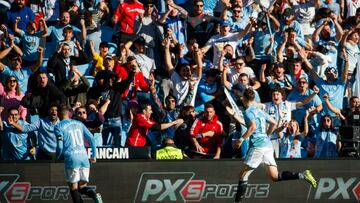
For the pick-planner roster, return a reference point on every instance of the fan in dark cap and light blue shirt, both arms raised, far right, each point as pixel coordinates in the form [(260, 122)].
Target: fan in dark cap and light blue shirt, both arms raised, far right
[(333, 86)]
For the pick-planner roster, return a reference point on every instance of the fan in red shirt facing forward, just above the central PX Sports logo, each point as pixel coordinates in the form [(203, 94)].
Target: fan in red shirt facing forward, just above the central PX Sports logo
[(206, 133)]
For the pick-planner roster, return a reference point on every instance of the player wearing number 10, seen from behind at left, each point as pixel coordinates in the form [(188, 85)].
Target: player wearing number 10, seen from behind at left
[(70, 134)]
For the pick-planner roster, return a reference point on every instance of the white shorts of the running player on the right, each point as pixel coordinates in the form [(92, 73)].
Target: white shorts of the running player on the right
[(258, 155)]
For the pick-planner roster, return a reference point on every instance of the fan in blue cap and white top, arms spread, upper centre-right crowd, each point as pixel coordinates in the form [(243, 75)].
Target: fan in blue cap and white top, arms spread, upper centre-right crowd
[(217, 42)]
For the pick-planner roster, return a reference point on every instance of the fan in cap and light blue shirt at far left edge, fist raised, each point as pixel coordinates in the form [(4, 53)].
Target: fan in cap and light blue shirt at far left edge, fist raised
[(22, 74)]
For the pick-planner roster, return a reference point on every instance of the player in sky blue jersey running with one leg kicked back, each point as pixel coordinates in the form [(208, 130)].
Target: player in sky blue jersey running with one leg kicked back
[(260, 148)]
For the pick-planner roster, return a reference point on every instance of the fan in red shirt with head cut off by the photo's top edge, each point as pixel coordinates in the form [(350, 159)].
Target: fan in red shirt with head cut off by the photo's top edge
[(126, 13)]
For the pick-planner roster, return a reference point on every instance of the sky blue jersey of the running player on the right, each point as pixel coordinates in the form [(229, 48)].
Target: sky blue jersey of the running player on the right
[(259, 138)]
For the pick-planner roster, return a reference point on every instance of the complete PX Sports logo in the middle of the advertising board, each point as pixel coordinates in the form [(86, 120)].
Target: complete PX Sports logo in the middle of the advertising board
[(181, 187)]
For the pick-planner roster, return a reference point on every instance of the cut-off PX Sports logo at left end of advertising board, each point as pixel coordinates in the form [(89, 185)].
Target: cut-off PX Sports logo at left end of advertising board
[(21, 192)]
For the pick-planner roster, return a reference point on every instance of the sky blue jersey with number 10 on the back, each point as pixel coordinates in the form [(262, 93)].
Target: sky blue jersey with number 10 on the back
[(70, 134)]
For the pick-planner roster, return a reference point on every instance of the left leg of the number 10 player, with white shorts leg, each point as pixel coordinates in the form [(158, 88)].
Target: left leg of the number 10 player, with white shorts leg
[(72, 178)]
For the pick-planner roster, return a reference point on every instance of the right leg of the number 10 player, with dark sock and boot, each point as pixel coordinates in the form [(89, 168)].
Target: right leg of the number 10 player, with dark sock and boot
[(84, 189)]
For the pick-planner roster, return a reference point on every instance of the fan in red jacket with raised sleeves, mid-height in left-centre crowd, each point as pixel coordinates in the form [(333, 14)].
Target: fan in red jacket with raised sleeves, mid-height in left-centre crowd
[(139, 82)]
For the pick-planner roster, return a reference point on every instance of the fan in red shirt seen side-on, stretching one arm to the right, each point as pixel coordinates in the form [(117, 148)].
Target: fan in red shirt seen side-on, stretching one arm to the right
[(142, 124)]
